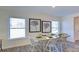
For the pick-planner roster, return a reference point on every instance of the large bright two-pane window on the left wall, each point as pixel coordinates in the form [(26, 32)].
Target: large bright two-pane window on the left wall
[(17, 28)]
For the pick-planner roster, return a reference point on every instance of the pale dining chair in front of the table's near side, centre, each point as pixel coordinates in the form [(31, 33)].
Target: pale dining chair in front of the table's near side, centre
[(51, 45)]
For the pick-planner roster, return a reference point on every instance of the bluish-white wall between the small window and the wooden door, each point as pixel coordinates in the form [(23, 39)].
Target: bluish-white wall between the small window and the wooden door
[(68, 25)]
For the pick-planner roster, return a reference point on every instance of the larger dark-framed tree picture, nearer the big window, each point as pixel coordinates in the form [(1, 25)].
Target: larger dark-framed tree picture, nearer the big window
[(34, 25)]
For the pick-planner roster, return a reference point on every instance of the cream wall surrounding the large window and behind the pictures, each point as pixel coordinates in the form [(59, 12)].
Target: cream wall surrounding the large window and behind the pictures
[(4, 27)]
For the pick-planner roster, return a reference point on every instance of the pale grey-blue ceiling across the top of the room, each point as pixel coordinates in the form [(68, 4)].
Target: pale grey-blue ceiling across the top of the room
[(57, 11)]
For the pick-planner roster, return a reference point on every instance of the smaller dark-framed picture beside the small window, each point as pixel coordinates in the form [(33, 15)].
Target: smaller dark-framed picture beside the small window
[(46, 26)]
